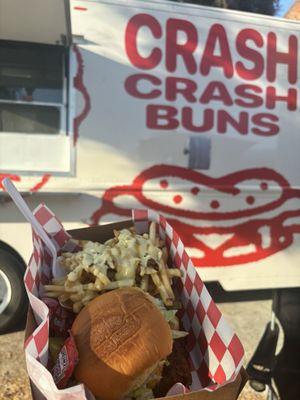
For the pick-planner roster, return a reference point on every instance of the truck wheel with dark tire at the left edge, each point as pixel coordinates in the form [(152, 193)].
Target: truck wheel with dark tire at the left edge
[(13, 298)]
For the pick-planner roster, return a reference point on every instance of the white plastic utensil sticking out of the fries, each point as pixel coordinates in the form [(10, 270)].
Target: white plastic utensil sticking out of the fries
[(36, 226)]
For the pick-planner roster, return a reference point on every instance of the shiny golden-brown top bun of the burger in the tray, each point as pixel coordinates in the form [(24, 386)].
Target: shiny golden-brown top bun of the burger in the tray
[(120, 336)]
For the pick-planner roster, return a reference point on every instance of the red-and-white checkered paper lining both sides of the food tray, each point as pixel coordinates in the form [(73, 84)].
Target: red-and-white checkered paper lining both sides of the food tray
[(216, 353)]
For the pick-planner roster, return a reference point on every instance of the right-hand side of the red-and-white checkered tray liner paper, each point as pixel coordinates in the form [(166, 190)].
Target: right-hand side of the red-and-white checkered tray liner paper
[(216, 353)]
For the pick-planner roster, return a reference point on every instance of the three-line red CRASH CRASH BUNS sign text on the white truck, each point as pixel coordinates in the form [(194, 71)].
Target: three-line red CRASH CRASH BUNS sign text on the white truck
[(220, 81)]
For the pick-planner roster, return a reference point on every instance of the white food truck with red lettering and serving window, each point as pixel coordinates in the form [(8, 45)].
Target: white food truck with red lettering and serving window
[(191, 111)]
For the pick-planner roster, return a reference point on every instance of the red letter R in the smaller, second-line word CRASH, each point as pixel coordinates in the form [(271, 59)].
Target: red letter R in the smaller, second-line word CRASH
[(183, 86)]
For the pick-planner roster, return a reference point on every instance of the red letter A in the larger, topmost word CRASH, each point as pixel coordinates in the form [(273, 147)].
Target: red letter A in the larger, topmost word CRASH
[(217, 35)]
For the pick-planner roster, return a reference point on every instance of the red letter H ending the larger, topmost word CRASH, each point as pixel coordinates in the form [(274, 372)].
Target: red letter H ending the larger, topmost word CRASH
[(275, 57)]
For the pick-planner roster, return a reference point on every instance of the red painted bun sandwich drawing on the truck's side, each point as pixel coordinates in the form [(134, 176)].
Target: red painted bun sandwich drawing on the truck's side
[(220, 220)]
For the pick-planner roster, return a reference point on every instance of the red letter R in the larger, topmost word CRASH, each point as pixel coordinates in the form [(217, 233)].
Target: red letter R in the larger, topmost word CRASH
[(186, 50)]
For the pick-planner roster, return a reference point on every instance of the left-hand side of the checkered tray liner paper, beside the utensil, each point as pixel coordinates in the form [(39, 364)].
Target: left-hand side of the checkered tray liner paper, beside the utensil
[(37, 274)]
